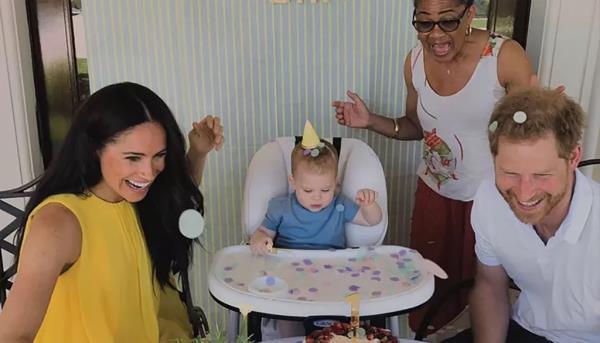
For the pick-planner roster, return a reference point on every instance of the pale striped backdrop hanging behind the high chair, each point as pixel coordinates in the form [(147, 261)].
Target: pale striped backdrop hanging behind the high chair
[(265, 69)]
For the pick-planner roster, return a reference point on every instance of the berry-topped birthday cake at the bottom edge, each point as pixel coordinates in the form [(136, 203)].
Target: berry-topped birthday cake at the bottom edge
[(342, 332)]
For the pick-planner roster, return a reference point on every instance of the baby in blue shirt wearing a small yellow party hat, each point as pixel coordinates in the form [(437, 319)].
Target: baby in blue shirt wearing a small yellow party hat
[(313, 215)]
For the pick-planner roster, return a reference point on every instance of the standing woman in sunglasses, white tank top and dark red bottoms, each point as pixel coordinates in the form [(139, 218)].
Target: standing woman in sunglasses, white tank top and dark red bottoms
[(454, 76)]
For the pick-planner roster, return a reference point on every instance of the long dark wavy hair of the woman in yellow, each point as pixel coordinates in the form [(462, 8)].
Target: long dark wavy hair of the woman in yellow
[(105, 115)]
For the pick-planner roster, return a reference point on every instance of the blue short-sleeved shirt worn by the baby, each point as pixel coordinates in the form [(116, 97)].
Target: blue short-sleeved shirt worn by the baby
[(299, 228)]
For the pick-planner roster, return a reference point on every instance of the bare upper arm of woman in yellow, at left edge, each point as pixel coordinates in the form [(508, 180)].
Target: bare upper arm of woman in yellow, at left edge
[(52, 245)]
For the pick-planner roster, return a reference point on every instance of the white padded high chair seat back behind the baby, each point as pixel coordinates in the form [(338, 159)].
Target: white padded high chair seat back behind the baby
[(267, 177)]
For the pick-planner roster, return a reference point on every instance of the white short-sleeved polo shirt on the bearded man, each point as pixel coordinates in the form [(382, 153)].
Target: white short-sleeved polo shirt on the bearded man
[(559, 281)]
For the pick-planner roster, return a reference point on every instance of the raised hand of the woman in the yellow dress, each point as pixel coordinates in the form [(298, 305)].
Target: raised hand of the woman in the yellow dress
[(205, 135)]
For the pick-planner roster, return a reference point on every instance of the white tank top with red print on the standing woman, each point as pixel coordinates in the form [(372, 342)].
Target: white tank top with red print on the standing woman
[(456, 154)]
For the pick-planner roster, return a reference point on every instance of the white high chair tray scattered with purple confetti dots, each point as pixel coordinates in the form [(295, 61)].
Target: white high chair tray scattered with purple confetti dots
[(300, 283)]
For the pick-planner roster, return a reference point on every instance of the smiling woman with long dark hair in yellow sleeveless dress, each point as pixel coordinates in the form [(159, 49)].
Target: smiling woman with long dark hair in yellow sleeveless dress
[(101, 241)]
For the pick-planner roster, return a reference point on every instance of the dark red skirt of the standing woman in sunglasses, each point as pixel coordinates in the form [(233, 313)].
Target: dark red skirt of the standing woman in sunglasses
[(441, 231)]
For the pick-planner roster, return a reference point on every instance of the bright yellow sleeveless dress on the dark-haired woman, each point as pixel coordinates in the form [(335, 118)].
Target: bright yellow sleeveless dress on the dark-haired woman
[(110, 293)]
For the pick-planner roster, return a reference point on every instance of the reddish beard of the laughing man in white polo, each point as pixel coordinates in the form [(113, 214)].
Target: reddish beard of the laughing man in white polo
[(545, 206)]
